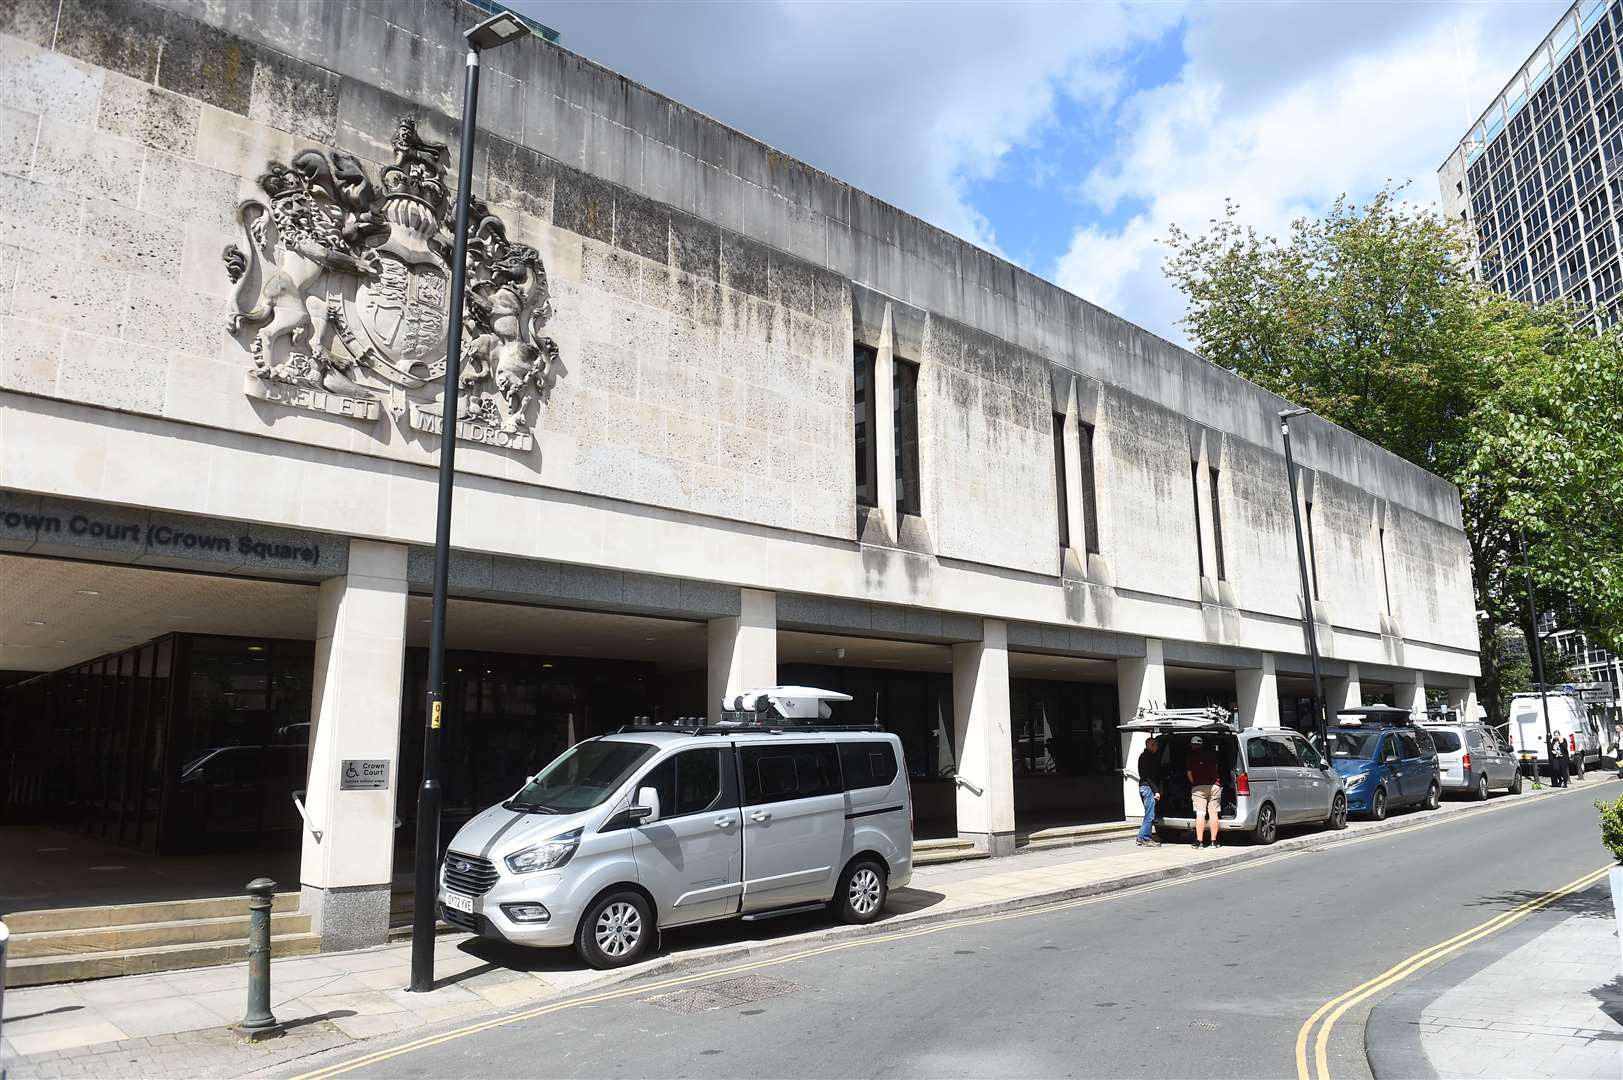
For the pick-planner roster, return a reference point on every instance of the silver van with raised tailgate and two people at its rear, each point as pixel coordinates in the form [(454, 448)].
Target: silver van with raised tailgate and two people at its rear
[(1272, 777)]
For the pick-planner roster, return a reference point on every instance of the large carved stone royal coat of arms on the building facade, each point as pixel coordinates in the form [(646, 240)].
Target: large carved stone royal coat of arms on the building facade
[(342, 296)]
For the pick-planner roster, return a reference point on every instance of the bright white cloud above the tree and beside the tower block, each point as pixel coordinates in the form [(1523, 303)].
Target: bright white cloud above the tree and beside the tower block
[(1283, 110)]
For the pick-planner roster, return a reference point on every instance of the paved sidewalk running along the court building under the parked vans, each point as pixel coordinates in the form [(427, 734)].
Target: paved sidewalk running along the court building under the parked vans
[(176, 1024)]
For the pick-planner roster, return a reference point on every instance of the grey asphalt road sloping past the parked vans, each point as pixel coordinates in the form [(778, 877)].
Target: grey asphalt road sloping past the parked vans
[(1208, 977)]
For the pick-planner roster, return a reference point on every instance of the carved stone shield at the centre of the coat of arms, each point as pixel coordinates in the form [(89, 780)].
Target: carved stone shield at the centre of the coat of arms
[(403, 316)]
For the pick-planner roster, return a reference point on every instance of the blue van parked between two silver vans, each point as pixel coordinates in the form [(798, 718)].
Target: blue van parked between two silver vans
[(1387, 761)]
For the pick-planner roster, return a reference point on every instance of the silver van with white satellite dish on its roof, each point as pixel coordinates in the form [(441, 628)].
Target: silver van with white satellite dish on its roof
[(772, 811)]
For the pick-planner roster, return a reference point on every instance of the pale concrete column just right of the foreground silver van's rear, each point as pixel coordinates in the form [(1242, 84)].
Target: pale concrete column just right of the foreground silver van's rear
[(986, 754)]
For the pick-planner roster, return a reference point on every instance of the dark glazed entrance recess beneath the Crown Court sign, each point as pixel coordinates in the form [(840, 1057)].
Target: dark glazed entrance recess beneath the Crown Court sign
[(186, 745)]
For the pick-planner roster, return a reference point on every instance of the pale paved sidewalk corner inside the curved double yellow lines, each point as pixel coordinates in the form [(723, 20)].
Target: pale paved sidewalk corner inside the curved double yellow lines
[(1551, 1008)]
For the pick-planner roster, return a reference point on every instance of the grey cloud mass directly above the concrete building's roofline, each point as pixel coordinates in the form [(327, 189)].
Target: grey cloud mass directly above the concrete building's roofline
[(910, 102)]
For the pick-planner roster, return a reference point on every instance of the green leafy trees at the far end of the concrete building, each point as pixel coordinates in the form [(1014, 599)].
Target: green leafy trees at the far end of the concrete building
[(1372, 319)]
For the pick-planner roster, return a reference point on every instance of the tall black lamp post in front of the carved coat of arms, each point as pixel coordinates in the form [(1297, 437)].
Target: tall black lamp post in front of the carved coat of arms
[(494, 32)]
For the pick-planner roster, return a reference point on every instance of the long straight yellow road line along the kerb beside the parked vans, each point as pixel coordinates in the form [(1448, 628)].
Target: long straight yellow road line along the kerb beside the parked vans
[(640, 990)]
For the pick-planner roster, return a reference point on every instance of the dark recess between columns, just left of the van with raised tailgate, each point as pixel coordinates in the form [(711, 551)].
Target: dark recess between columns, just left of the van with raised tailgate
[(1067, 753)]
